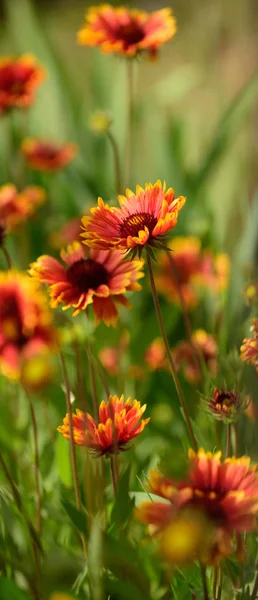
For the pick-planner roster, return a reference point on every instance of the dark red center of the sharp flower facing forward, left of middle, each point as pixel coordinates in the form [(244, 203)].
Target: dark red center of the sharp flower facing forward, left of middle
[(86, 274)]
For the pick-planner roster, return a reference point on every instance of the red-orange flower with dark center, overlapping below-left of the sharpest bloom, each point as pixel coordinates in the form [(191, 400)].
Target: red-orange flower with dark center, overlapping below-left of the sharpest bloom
[(101, 278)]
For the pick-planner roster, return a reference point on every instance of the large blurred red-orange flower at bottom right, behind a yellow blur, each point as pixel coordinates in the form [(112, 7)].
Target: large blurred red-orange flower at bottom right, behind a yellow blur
[(225, 492)]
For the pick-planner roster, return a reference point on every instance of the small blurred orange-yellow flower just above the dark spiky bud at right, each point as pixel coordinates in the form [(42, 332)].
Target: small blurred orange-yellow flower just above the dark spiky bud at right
[(185, 358)]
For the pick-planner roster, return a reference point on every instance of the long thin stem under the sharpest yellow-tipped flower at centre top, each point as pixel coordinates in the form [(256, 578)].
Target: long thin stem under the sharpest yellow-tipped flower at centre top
[(169, 356)]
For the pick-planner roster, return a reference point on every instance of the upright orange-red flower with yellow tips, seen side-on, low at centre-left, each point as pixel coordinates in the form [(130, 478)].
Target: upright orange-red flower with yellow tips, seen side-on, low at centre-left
[(118, 425)]
